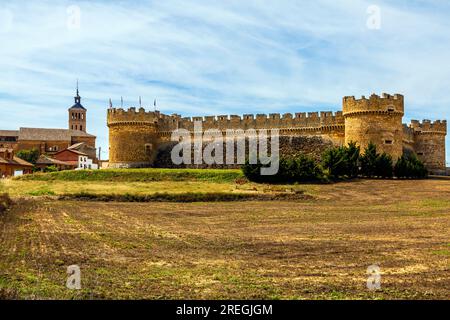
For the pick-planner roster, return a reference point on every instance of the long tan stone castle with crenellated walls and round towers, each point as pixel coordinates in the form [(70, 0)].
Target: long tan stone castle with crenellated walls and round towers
[(139, 139)]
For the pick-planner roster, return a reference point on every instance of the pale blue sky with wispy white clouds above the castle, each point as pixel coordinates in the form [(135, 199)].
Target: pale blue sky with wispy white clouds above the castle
[(219, 57)]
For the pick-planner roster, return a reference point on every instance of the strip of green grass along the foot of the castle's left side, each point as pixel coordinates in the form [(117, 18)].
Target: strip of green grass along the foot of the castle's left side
[(138, 175)]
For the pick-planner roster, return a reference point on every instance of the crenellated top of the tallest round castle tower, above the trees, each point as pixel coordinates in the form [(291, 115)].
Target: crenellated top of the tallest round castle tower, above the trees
[(385, 103)]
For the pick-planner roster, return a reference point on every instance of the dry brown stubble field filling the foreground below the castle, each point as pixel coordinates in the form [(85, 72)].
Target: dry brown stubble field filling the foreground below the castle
[(310, 249)]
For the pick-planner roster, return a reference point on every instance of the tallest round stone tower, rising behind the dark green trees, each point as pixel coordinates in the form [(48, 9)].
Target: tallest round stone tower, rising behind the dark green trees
[(377, 120)]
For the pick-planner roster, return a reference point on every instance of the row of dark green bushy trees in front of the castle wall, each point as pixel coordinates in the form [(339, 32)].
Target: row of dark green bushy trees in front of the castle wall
[(345, 162)]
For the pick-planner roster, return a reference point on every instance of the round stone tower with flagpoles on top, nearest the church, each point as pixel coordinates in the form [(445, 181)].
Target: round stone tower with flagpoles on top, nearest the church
[(132, 138)]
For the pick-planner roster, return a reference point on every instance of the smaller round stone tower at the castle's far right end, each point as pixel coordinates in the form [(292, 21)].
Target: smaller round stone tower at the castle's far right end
[(429, 143)]
